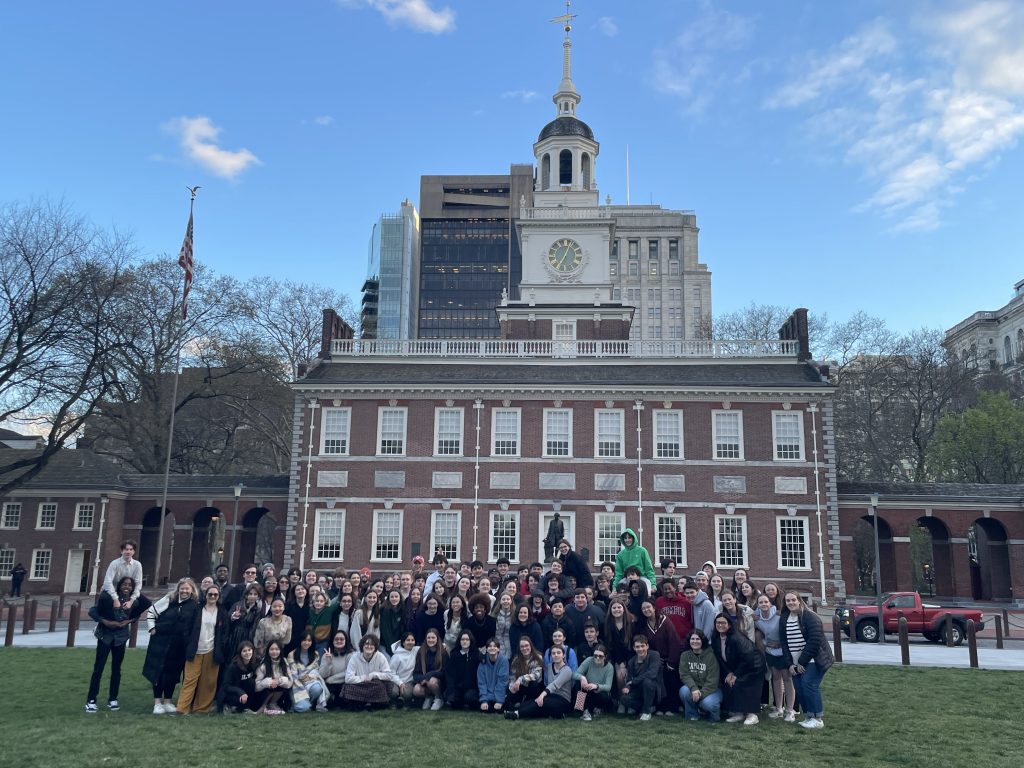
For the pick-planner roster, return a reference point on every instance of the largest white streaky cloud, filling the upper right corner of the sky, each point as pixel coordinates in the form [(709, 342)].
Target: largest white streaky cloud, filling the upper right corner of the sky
[(918, 141)]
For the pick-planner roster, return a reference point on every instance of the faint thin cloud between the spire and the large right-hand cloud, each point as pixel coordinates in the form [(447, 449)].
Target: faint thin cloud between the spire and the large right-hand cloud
[(693, 68)]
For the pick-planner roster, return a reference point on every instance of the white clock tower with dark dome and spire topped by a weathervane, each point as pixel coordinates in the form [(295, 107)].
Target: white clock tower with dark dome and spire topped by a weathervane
[(566, 239)]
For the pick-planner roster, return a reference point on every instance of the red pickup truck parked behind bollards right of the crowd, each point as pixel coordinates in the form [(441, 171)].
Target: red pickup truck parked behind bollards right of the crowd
[(921, 619)]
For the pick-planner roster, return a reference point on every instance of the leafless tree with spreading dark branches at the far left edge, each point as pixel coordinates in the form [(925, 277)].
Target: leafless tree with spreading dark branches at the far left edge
[(59, 279)]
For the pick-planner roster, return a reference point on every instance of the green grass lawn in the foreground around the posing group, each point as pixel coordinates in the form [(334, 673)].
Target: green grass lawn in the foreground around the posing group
[(875, 716)]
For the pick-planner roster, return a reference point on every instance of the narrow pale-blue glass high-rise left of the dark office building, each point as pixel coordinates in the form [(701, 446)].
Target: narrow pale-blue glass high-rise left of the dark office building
[(390, 296)]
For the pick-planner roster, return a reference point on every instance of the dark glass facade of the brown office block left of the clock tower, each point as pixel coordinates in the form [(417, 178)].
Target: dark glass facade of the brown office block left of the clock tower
[(464, 267)]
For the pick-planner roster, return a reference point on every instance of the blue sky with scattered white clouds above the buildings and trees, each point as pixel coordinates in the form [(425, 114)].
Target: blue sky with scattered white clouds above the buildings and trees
[(840, 156)]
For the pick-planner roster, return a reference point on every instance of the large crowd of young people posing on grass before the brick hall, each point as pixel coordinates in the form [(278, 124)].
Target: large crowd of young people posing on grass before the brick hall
[(542, 642)]
